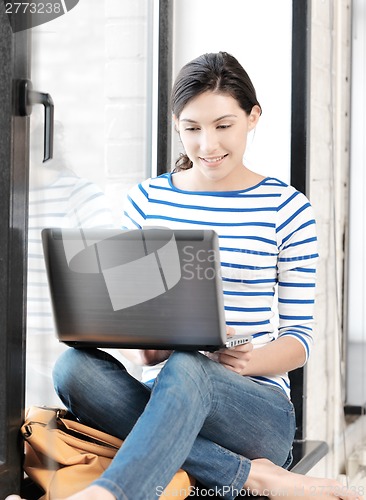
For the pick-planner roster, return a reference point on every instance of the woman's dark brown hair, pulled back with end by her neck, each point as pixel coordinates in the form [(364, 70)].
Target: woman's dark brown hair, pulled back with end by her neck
[(215, 72)]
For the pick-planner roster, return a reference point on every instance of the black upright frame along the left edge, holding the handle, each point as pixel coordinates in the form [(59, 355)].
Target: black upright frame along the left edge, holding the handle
[(14, 145)]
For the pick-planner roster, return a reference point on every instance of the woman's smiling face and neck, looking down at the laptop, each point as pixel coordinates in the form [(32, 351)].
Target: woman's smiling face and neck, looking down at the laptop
[(213, 129)]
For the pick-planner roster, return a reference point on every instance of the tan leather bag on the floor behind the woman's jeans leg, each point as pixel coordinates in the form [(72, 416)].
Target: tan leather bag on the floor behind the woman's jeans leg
[(63, 456)]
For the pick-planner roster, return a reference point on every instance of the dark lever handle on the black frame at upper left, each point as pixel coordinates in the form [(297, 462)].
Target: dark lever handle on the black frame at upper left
[(26, 98)]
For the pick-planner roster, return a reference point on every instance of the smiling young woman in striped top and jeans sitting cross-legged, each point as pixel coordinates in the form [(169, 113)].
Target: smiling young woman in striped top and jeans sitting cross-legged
[(226, 418)]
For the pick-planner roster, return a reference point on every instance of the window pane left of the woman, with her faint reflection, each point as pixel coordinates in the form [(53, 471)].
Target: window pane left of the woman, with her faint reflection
[(95, 63)]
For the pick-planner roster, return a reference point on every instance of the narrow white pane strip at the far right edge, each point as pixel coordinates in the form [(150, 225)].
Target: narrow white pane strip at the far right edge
[(356, 346)]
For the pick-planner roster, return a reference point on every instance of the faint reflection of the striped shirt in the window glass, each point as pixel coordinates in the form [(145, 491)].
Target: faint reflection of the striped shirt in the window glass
[(68, 202)]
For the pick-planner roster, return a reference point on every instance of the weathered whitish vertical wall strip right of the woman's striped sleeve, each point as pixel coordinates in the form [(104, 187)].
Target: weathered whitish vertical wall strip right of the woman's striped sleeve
[(329, 161)]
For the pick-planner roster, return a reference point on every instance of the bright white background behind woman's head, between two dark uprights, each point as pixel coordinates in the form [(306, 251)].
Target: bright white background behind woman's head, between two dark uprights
[(258, 33)]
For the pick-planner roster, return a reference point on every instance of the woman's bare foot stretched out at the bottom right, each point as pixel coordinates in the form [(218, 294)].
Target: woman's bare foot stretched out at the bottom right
[(268, 479)]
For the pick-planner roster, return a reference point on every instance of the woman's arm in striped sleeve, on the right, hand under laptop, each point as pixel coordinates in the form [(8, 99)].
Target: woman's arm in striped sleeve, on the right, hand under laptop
[(296, 267)]
